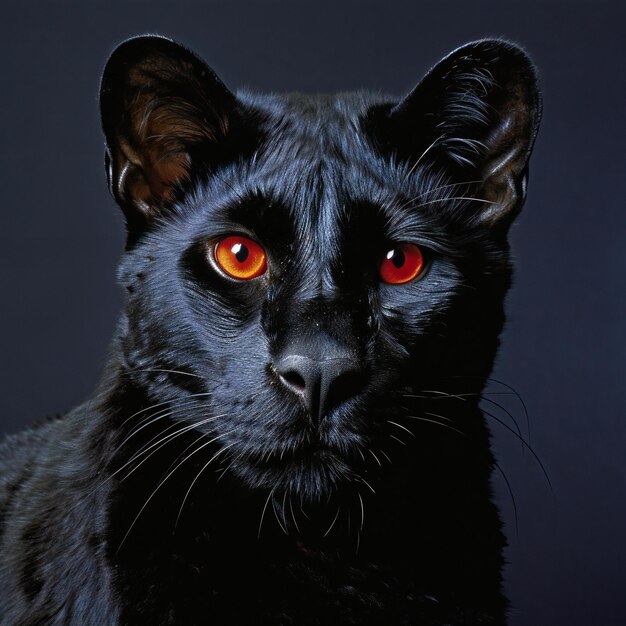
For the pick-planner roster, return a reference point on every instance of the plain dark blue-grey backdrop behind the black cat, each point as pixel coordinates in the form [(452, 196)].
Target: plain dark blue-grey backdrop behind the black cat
[(565, 345)]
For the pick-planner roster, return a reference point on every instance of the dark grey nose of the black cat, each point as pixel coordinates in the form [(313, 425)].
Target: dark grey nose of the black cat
[(322, 383)]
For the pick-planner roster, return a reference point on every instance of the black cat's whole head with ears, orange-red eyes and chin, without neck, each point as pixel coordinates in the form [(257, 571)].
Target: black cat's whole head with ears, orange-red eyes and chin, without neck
[(299, 267)]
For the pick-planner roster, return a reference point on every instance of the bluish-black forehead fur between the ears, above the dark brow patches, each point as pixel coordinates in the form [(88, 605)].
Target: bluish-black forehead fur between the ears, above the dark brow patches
[(314, 148)]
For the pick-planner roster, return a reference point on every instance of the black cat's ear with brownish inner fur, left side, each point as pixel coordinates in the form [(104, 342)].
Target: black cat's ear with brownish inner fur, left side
[(163, 110)]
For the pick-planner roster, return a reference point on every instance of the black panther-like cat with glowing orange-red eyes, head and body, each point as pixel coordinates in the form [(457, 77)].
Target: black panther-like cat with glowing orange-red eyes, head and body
[(288, 430)]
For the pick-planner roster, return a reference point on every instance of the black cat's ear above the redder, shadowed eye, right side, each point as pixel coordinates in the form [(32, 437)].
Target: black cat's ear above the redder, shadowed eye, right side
[(475, 114)]
